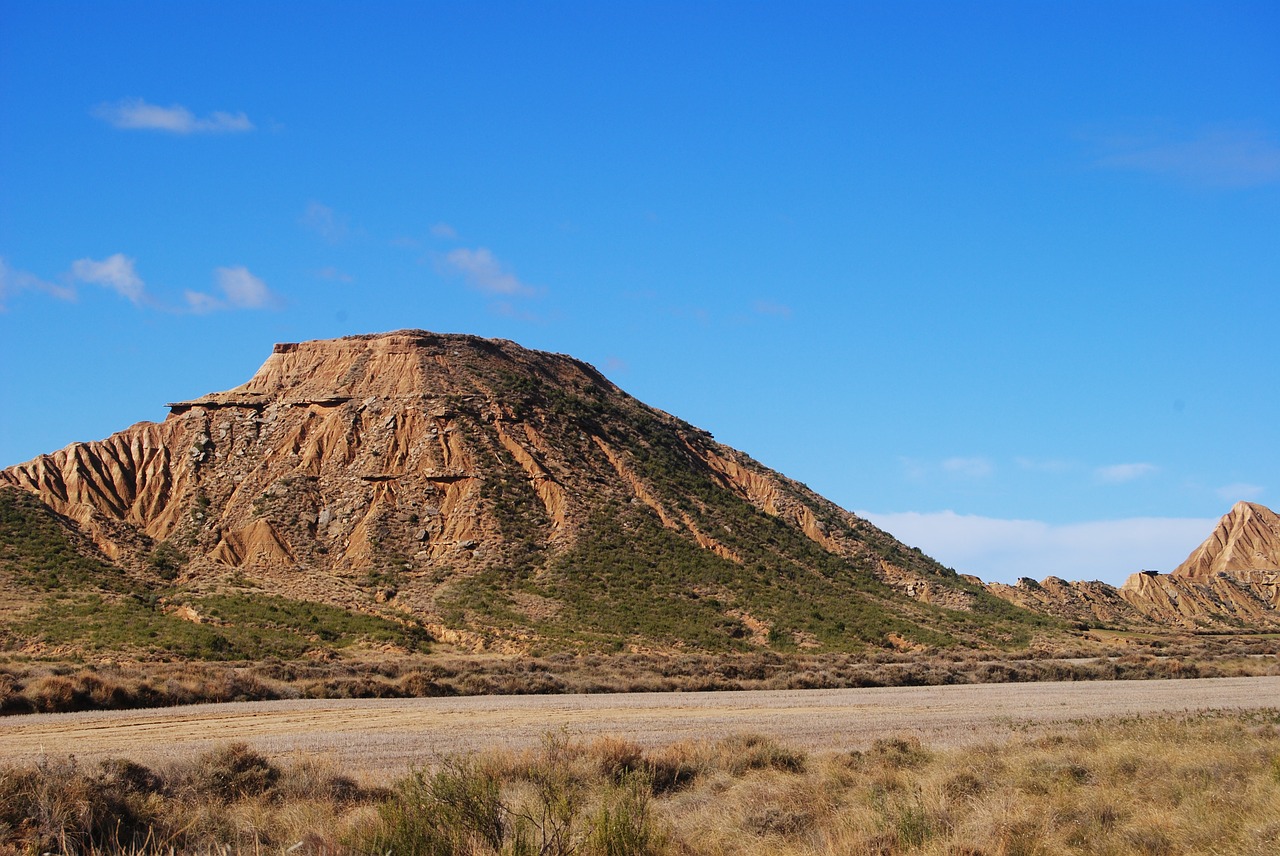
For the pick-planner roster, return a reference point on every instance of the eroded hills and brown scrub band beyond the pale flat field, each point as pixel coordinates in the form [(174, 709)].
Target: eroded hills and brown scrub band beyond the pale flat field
[(424, 515)]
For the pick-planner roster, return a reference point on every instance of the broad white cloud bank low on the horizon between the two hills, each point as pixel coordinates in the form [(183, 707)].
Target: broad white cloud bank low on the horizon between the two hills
[(1003, 551)]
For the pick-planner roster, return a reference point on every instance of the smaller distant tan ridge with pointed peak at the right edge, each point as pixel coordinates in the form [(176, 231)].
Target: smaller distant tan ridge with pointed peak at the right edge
[(1232, 580)]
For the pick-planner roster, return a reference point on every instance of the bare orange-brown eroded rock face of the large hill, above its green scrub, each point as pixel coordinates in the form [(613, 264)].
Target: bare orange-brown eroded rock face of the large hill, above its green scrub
[(410, 455)]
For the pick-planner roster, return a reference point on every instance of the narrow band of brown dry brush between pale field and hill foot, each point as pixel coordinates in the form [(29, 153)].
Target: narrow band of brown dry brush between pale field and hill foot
[(34, 686)]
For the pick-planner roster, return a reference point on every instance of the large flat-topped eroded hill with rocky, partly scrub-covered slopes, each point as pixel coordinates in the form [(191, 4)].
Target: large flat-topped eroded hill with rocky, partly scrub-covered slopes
[(467, 482)]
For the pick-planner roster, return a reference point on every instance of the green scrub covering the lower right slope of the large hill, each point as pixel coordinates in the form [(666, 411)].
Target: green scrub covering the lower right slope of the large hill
[(629, 579)]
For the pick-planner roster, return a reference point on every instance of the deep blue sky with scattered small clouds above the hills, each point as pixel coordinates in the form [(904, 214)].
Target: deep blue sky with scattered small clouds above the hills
[(1000, 276)]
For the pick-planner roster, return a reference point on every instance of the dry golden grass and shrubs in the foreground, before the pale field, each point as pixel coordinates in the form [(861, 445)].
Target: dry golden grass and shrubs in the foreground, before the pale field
[(1162, 786)]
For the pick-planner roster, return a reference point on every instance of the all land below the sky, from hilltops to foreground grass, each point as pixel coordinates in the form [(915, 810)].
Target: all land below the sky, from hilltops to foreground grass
[(414, 570)]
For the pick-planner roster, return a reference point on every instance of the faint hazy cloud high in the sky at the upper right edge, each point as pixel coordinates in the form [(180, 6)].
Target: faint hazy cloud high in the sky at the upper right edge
[(1215, 158)]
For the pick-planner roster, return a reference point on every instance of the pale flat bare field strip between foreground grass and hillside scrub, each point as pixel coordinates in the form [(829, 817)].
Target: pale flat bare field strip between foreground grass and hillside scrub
[(385, 738)]
